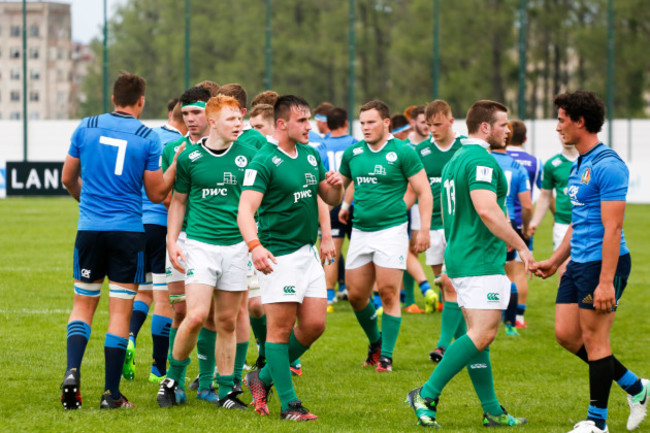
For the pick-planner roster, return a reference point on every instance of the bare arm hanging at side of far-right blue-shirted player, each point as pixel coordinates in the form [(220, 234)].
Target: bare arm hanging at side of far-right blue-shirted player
[(612, 215)]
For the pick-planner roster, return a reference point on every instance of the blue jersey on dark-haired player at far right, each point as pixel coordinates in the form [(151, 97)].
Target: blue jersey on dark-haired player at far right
[(598, 175)]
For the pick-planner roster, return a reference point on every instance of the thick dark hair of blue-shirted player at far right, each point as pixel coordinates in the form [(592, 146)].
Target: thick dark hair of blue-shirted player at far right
[(582, 103)]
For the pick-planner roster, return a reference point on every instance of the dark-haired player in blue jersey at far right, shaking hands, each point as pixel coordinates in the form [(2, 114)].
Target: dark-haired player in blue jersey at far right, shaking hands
[(600, 264)]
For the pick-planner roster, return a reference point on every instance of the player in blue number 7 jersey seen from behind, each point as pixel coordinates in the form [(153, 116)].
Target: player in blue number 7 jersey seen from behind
[(111, 157)]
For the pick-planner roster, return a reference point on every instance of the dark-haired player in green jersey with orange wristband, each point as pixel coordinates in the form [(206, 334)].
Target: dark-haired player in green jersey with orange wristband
[(283, 182)]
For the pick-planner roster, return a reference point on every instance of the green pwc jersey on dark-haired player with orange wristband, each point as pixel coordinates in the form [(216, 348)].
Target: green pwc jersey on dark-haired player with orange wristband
[(288, 214)]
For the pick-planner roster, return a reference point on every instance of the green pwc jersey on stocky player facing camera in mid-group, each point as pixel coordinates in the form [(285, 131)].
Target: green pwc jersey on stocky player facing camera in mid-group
[(380, 180)]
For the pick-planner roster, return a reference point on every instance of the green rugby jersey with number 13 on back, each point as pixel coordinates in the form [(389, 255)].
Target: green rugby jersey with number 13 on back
[(472, 250)]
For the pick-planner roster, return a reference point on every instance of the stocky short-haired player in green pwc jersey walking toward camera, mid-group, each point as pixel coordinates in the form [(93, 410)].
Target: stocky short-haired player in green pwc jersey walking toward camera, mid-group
[(381, 168)]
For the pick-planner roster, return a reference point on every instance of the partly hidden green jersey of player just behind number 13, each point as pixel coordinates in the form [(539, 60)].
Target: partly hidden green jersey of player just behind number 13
[(434, 159)]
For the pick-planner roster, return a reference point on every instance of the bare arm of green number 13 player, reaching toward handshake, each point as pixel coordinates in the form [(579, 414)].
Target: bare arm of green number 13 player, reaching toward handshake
[(485, 203)]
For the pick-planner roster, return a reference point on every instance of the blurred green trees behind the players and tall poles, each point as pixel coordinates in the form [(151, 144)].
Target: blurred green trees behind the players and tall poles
[(566, 49)]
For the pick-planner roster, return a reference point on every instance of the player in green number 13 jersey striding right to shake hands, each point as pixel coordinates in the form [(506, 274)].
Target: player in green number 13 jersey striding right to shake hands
[(474, 190)]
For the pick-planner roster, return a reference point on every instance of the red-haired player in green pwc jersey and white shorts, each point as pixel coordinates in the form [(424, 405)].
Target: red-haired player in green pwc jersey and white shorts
[(208, 187)]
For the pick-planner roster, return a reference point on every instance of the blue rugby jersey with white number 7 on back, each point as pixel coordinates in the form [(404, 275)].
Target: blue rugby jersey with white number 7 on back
[(114, 151)]
